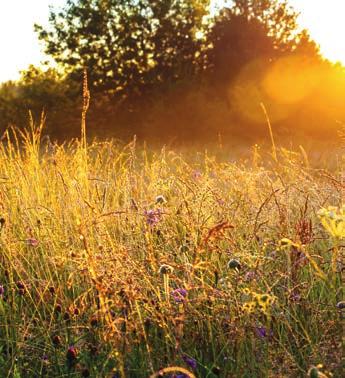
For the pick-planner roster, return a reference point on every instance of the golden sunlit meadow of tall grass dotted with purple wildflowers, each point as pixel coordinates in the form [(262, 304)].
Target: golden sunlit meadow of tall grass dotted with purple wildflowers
[(117, 261)]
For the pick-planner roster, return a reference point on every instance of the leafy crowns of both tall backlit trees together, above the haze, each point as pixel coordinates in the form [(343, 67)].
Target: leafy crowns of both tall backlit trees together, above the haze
[(133, 47)]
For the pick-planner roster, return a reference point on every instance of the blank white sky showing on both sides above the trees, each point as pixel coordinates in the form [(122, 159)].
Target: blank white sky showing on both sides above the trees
[(20, 47)]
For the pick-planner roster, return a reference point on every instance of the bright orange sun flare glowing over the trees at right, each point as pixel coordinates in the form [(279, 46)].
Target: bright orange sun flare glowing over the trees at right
[(291, 83)]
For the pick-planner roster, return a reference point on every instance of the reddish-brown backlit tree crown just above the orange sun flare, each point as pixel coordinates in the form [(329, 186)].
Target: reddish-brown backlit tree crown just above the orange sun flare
[(253, 29)]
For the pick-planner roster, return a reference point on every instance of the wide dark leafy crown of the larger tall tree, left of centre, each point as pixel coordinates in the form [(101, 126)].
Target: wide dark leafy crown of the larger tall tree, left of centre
[(128, 46)]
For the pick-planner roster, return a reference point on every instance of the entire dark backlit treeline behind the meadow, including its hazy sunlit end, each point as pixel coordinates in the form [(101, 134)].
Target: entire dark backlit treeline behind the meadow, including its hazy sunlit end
[(169, 69)]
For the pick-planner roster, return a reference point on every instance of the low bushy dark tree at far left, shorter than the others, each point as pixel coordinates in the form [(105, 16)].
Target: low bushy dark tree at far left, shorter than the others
[(40, 91)]
